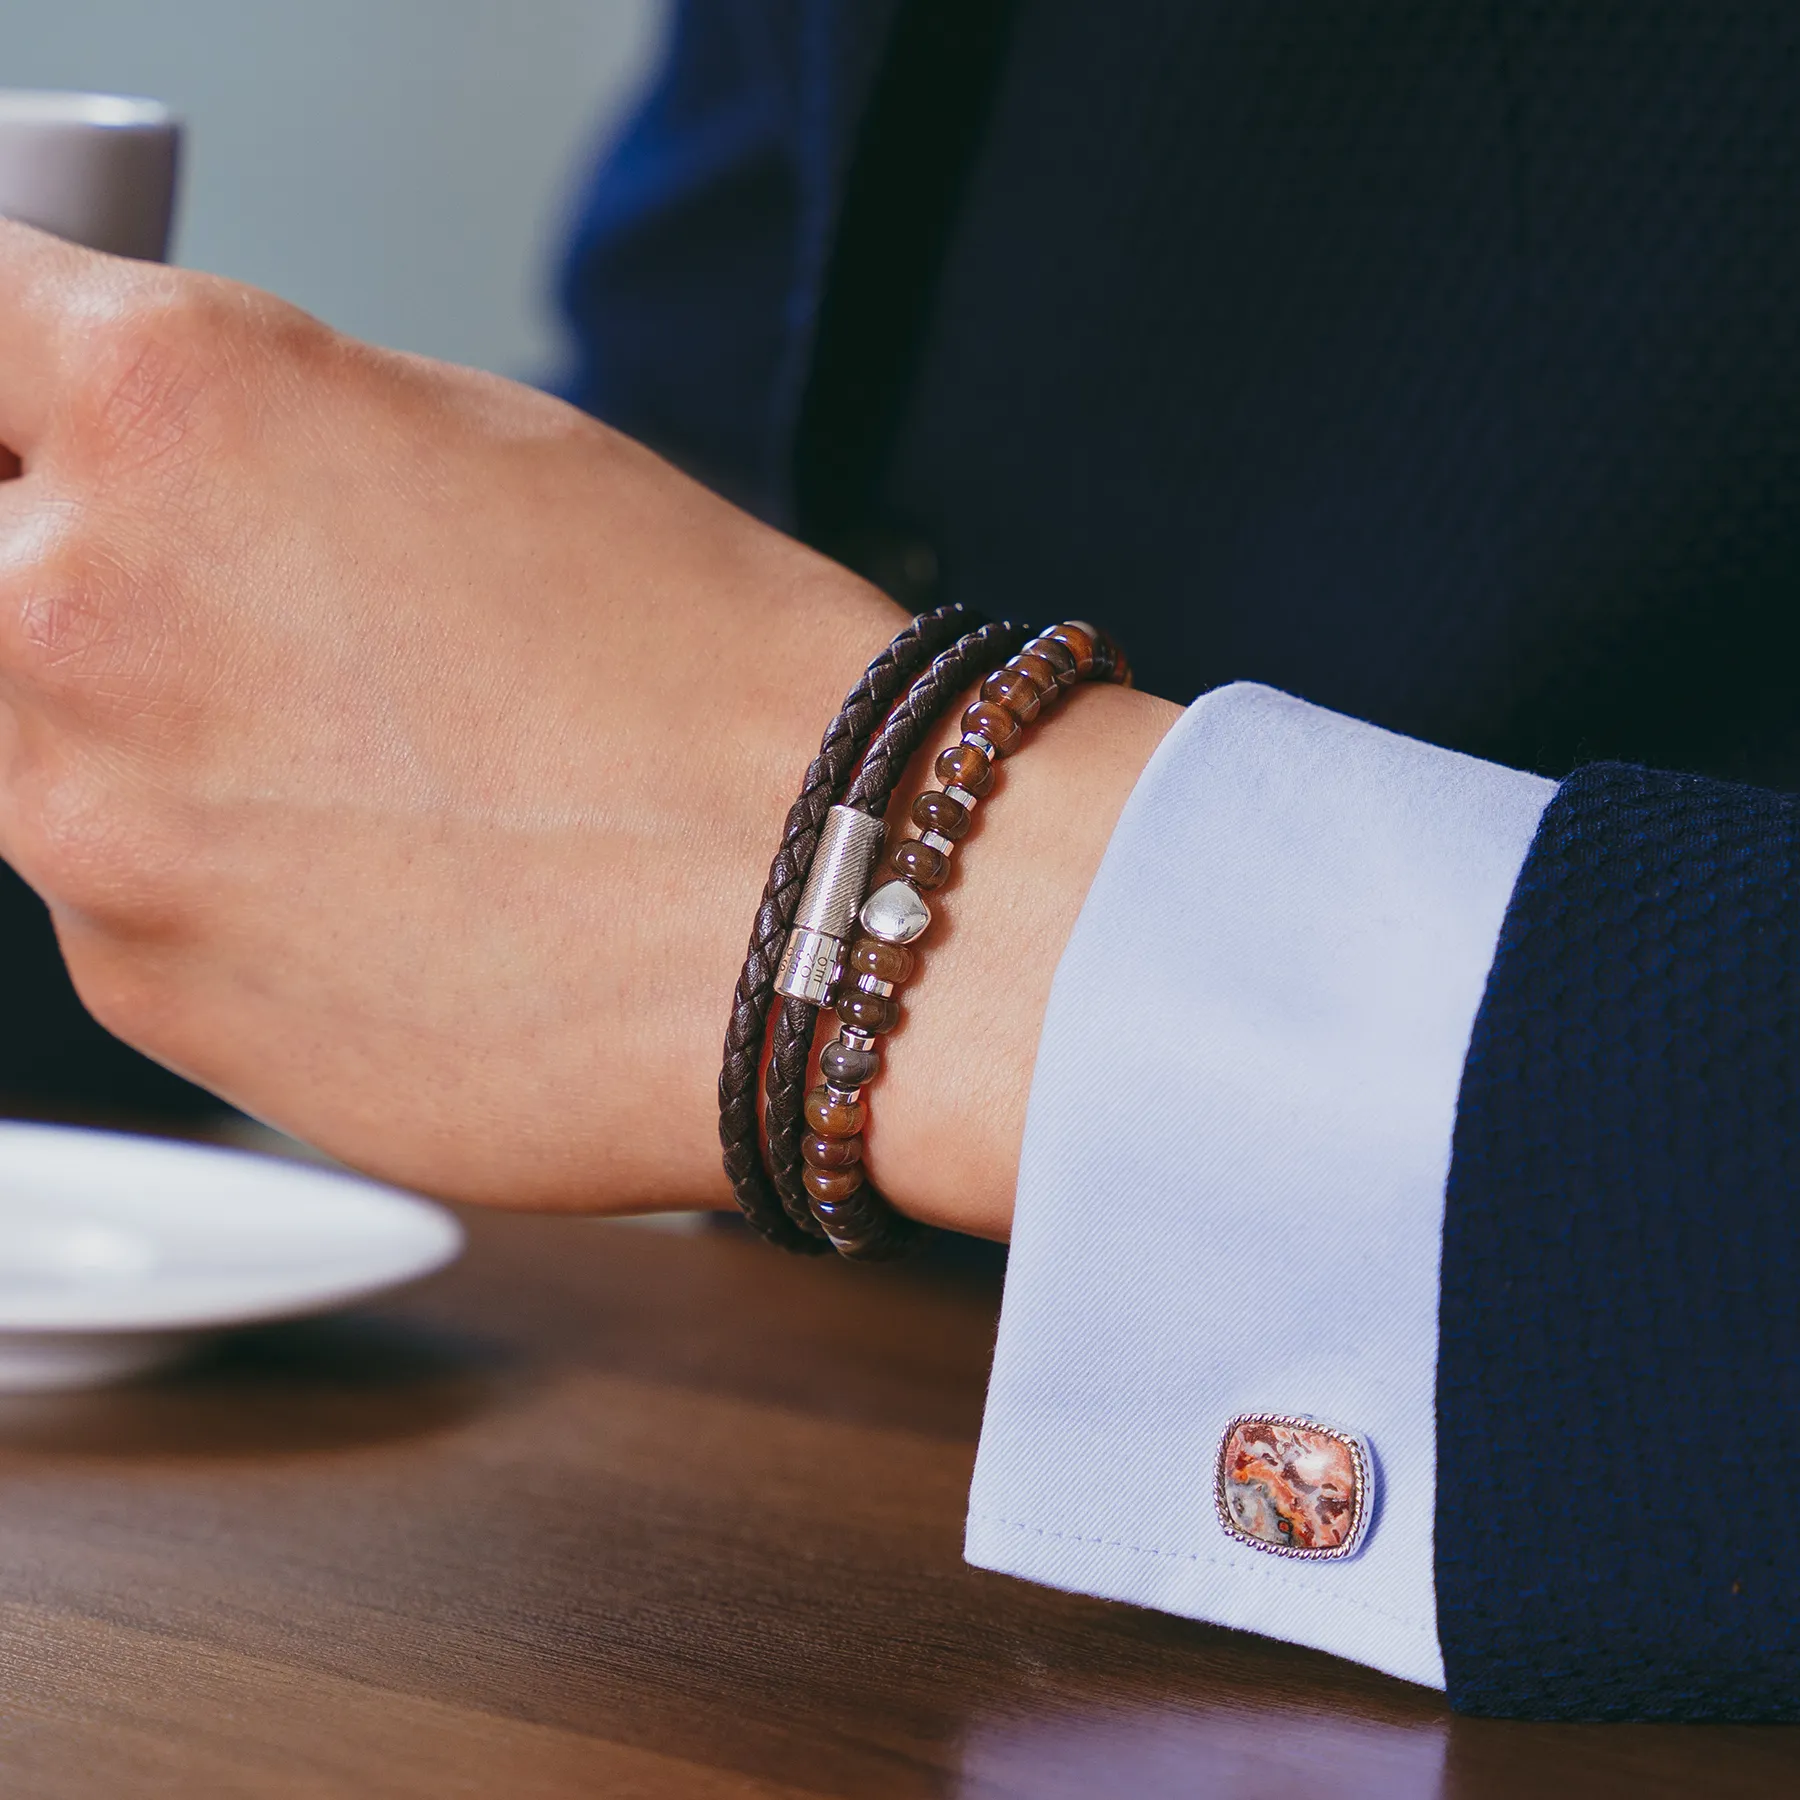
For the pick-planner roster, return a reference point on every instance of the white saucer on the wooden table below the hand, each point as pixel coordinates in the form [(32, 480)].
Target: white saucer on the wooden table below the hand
[(118, 1255)]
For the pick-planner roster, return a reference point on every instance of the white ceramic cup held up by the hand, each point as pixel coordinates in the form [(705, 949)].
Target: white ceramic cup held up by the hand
[(93, 168)]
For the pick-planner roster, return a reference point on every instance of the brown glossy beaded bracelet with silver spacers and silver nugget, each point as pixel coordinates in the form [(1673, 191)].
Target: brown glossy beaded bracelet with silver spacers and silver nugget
[(897, 915)]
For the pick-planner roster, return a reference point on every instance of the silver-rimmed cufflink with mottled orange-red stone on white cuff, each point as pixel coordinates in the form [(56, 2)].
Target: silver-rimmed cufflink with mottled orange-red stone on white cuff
[(1293, 1486)]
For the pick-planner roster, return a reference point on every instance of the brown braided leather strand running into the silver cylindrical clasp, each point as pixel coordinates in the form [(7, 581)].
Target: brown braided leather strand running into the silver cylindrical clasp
[(786, 1092)]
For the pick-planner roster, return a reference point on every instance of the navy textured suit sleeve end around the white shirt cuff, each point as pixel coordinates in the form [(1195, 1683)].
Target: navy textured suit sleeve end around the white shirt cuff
[(1619, 1374)]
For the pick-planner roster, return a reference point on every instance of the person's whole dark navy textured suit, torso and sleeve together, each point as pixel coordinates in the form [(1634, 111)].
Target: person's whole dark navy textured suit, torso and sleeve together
[(1437, 363)]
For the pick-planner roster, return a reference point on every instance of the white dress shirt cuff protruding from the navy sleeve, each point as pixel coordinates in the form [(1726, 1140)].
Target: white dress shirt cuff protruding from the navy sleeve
[(1232, 1187)]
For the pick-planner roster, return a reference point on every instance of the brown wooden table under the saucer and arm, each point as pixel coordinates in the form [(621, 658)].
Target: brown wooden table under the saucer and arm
[(615, 1511)]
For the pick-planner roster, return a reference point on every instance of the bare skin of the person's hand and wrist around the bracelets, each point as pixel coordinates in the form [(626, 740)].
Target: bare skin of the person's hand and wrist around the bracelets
[(400, 755)]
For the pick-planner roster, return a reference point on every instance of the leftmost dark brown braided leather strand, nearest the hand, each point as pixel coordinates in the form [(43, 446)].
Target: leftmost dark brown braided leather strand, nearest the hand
[(840, 751)]
